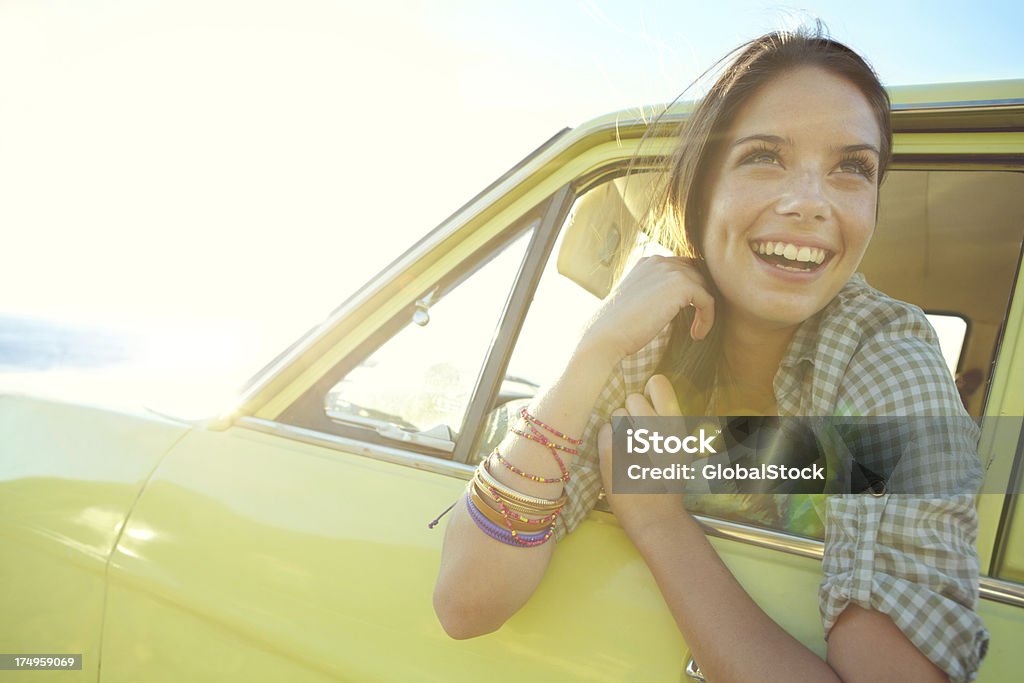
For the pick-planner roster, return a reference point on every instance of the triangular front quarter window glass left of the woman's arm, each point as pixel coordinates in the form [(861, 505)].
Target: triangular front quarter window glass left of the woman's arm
[(421, 380)]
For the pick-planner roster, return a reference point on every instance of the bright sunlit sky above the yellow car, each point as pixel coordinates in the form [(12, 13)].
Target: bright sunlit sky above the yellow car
[(238, 167)]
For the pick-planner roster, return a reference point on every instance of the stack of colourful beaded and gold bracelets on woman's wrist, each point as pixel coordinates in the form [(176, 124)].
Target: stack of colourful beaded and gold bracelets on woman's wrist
[(520, 521)]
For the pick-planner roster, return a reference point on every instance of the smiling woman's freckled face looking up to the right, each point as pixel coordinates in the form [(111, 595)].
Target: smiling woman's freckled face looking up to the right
[(793, 203)]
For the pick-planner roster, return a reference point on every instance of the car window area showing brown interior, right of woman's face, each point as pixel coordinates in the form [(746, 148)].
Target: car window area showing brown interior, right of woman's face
[(950, 241)]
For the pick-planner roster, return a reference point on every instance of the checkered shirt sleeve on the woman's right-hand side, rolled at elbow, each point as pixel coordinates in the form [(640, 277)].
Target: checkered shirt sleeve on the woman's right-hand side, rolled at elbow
[(911, 557)]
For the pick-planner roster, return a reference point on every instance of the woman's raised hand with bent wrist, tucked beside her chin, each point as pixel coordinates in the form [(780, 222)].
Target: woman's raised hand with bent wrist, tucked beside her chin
[(648, 300)]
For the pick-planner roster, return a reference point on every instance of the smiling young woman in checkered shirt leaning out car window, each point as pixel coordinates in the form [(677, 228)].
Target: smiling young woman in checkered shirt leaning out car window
[(771, 203)]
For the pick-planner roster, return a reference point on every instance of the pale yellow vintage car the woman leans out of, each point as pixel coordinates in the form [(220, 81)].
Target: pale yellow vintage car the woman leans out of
[(287, 540)]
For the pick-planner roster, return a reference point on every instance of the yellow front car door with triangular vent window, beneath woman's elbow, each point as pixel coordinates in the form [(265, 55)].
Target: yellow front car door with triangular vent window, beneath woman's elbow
[(297, 548)]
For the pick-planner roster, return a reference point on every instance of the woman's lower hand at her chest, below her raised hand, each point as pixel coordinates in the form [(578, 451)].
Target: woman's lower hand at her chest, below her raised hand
[(642, 514)]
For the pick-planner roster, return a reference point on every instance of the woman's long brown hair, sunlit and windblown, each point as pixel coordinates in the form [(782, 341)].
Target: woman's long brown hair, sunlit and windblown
[(677, 219)]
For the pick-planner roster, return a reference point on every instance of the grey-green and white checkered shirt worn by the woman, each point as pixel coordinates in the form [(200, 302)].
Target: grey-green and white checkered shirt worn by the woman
[(910, 557)]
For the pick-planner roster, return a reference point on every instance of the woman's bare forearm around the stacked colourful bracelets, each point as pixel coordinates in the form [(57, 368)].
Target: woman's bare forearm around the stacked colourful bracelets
[(483, 582)]
